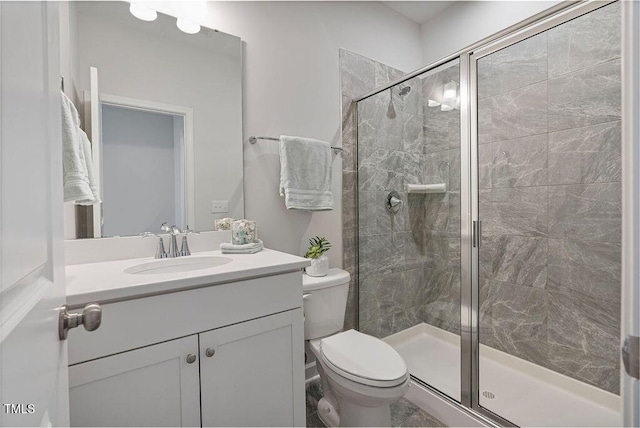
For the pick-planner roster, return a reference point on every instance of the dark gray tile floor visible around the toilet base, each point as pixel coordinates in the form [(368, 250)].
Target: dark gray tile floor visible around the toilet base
[(403, 413)]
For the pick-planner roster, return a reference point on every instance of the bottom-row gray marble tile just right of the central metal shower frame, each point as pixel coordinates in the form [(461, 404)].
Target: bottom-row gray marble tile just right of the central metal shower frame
[(518, 321)]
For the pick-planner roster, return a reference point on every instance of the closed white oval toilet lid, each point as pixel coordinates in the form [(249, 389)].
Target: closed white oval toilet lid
[(363, 358)]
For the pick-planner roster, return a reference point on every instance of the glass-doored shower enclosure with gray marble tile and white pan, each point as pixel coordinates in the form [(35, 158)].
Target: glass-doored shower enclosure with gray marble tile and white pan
[(489, 221)]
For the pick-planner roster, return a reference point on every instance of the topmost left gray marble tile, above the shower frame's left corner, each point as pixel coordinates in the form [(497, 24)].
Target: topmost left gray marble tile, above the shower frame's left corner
[(357, 74)]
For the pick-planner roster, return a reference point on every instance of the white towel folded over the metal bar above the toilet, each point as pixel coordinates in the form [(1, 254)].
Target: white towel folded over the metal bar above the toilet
[(305, 174)]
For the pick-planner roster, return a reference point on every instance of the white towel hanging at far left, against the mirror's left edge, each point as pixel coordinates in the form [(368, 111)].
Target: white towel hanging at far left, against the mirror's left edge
[(79, 183)]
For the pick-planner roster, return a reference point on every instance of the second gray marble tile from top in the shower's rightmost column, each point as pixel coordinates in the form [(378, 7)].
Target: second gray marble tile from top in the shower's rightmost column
[(585, 97)]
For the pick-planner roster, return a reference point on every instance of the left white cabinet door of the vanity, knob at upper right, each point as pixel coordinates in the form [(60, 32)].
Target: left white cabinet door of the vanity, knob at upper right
[(150, 386)]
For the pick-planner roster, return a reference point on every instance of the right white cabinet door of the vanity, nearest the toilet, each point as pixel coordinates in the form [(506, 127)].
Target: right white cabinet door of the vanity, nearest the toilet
[(256, 375)]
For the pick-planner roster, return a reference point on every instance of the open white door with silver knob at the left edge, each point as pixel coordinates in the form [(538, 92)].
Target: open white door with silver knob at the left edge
[(33, 361)]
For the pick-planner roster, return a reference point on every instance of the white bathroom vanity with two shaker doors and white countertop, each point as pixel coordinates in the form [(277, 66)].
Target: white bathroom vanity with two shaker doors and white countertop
[(216, 346)]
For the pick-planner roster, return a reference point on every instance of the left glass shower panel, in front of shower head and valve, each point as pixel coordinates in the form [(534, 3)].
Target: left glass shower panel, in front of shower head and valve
[(409, 255)]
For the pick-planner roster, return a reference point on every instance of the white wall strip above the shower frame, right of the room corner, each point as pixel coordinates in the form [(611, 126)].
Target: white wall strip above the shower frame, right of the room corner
[(466, 22)]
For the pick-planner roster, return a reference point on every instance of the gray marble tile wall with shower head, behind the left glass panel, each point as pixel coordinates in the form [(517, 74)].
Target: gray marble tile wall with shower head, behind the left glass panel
[(409, 261)]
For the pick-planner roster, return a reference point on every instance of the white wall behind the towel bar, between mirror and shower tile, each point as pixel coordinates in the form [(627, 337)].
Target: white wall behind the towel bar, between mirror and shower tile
[(291, 86)]
